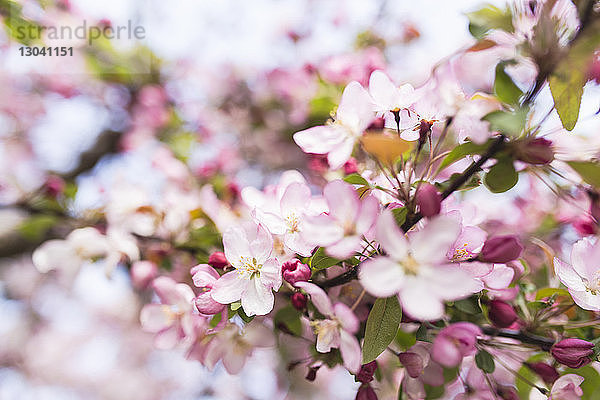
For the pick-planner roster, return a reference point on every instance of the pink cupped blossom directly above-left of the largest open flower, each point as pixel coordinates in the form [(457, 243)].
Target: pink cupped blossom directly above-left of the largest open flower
[(348, 220)]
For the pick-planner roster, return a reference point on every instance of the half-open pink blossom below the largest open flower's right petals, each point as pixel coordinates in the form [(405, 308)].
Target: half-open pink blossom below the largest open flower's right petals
[(455, 342)]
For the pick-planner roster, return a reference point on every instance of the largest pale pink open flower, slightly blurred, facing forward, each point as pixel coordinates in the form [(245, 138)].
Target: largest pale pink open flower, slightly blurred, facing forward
[(417, 269)]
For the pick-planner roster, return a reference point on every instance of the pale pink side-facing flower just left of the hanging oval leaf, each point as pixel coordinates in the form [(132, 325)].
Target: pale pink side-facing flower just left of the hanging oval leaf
[(337, 331)]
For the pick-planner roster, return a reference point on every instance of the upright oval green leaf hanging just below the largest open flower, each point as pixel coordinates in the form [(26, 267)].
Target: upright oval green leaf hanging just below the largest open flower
[(382, 326)]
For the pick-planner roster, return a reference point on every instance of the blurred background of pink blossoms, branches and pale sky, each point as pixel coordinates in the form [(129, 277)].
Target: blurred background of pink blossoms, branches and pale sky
[(214, 90)]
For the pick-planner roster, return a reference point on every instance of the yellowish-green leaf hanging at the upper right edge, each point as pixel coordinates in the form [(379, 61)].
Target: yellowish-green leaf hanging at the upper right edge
[(569, 77)]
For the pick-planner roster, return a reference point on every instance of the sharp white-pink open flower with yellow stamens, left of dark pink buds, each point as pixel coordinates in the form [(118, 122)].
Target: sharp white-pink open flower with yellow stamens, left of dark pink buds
[(256, 274)]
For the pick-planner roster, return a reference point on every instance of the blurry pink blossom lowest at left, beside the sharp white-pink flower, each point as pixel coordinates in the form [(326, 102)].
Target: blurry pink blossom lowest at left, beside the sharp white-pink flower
[(172, 319)]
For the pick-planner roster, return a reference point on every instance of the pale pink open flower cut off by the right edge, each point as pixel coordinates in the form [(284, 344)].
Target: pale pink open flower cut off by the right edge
[(582, 276)]
